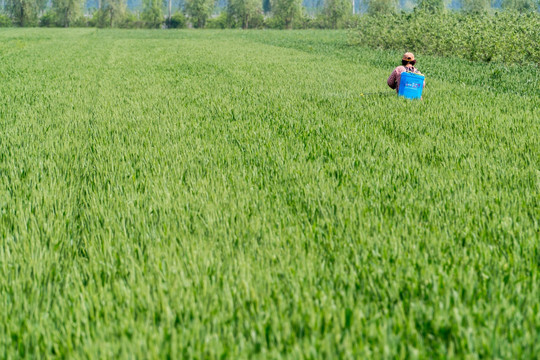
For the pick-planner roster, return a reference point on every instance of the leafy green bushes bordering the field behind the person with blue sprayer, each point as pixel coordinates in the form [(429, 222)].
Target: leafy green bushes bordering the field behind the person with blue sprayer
[(505, 37)]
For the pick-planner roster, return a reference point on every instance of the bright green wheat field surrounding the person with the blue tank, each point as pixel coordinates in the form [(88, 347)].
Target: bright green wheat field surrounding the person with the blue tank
[(234, 194)]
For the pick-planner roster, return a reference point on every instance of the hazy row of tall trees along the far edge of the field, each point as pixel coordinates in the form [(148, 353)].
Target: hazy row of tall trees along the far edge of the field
[(282, 14)]
